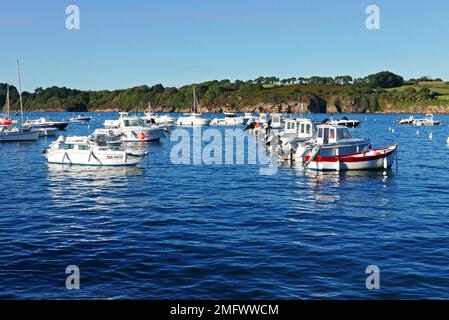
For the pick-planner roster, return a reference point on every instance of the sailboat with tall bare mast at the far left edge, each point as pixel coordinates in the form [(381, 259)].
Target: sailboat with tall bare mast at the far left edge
[(13, 134)]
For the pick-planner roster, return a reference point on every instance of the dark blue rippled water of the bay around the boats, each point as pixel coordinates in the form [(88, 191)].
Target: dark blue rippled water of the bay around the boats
[(225, 232)]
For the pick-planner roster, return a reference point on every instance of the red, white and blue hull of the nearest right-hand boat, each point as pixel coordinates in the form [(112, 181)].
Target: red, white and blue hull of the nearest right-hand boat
[(382, 158)]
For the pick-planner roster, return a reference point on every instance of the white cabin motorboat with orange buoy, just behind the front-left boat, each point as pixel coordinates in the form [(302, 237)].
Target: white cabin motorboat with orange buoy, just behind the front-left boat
[(134, 129)]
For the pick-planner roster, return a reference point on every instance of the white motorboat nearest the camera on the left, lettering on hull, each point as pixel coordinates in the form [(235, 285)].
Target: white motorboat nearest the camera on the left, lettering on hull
[(90, 152)]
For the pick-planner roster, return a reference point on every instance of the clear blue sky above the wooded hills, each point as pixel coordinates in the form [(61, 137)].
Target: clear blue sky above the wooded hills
[(176, 42)]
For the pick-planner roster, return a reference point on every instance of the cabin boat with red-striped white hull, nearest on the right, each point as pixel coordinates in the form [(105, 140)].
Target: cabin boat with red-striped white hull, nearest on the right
[(334, 149)]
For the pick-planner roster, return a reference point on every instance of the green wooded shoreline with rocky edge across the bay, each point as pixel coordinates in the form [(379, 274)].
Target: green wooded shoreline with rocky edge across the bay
[(213, 94)]
